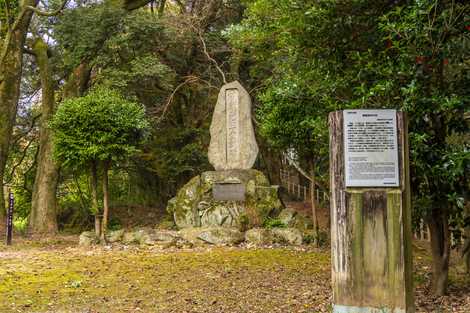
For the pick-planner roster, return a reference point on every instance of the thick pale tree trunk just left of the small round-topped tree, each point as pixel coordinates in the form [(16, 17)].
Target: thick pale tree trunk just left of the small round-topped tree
[(43, 217)]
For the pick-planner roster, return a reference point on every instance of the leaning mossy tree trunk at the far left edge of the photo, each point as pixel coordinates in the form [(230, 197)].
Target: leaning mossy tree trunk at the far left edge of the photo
[(11, 63)]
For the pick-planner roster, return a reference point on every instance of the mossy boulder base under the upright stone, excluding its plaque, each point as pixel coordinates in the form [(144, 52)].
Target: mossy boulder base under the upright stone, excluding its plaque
[(195, 206)]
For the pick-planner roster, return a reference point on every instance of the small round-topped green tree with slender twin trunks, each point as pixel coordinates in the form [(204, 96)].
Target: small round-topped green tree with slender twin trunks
[(96, 131)]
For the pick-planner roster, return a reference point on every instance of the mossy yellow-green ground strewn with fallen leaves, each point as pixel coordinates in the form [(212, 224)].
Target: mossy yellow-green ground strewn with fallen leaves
[(57, 276)]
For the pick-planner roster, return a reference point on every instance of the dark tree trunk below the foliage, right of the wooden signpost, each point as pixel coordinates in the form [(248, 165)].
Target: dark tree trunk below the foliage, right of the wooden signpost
[(440, 247)]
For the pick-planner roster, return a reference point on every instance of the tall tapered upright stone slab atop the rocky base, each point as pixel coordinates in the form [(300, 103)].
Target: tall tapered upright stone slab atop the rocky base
[(233, 144)]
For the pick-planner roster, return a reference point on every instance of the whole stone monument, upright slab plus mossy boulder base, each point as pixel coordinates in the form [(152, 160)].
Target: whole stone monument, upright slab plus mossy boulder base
[(234, 195)]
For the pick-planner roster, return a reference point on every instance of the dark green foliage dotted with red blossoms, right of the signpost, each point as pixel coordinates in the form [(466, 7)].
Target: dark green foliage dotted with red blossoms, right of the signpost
[(434, 55)]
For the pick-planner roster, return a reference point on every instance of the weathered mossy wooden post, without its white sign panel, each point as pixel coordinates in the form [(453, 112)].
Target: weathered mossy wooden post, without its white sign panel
[(370, 229)]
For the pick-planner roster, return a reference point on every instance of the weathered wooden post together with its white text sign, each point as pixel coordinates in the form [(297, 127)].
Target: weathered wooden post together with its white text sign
[(370, 212)]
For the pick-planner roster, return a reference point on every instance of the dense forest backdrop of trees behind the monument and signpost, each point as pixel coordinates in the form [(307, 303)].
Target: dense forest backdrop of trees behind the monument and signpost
[(299, 60)]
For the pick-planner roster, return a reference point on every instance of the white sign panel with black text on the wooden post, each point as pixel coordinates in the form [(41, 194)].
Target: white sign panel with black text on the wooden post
[(370, 148)]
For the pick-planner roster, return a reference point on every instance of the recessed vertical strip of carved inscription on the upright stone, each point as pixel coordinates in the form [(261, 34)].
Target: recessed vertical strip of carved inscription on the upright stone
[(233, 126)]
